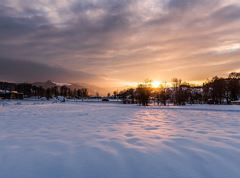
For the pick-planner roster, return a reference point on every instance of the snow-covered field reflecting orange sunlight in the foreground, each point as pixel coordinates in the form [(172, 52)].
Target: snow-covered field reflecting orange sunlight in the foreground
[(100, 140)]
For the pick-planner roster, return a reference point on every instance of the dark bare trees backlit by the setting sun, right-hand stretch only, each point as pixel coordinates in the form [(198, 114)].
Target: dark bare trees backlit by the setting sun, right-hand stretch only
[(215, 91)]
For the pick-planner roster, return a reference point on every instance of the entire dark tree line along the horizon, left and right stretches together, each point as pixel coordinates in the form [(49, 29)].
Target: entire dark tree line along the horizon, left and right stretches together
[(217, 90)]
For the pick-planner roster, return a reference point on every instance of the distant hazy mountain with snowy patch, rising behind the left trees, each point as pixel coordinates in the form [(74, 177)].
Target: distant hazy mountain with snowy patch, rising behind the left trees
[(92, 89)]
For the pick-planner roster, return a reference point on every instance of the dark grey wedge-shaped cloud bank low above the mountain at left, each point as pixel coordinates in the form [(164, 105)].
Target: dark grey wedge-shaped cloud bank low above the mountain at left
[(26, 71)]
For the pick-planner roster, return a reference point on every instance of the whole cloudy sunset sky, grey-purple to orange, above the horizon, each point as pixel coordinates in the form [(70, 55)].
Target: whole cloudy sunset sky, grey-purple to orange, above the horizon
[(118, 42)]
